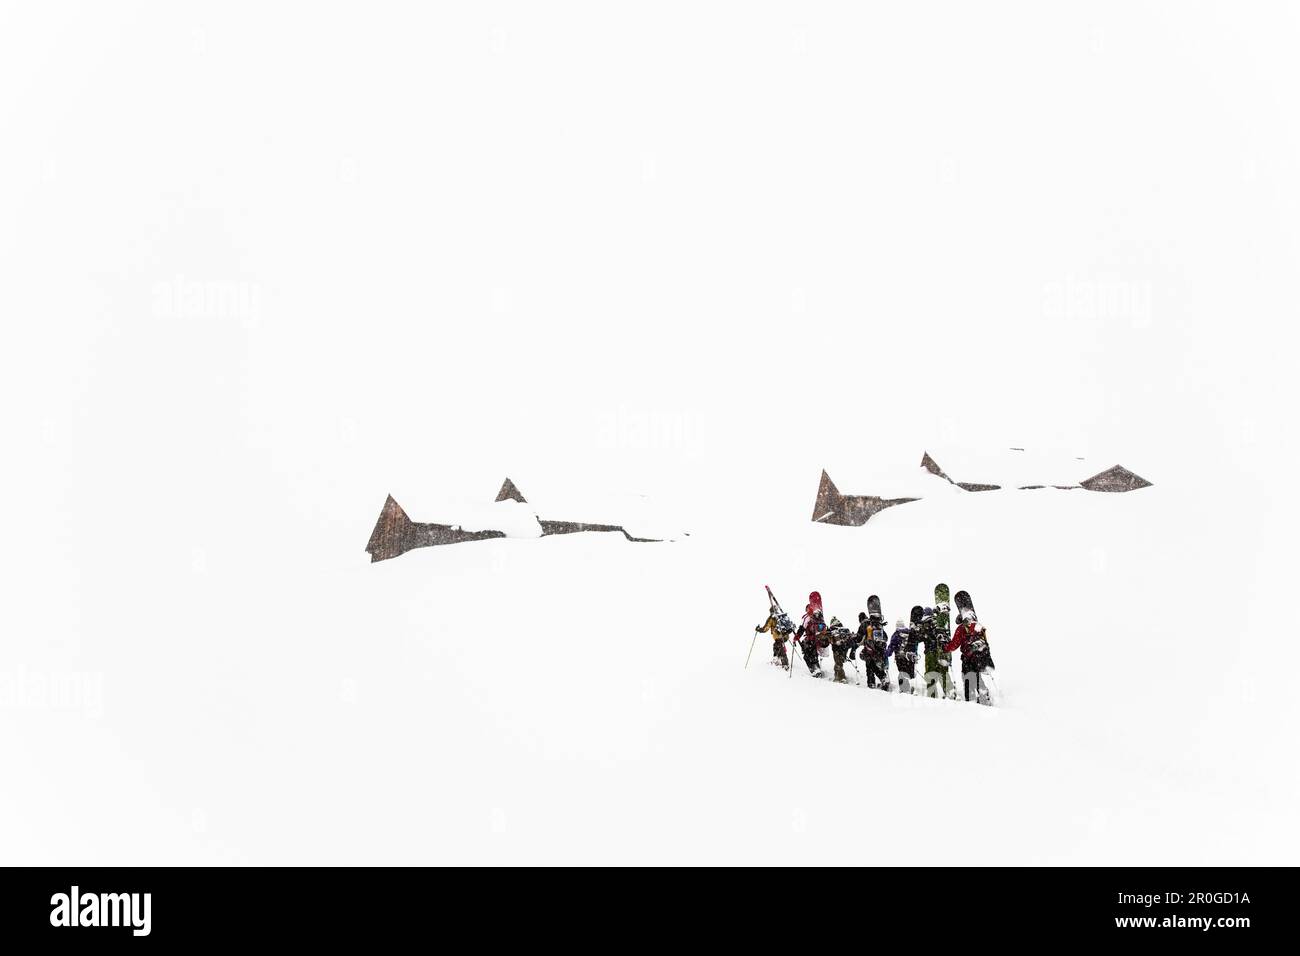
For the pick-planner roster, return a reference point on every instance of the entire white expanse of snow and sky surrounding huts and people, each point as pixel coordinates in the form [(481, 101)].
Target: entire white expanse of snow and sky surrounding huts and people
[(261, 270)]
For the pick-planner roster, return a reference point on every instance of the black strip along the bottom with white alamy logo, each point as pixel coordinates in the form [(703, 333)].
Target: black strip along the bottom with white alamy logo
[(926, 907)]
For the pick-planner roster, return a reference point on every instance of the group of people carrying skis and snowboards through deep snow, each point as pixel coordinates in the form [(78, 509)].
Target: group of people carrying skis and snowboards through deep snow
[(876, 647)]
